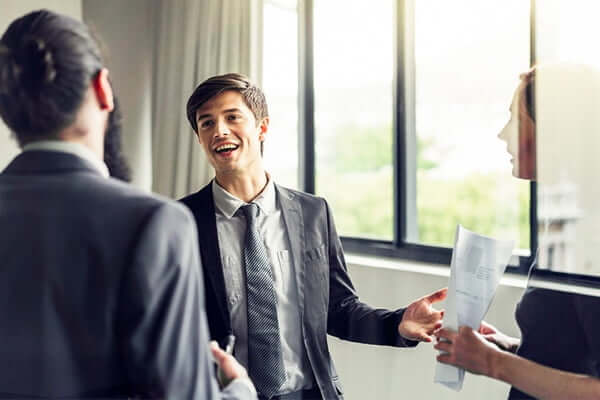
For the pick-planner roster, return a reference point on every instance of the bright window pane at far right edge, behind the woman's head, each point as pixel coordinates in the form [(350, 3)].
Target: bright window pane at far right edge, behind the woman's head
[(567, 100)]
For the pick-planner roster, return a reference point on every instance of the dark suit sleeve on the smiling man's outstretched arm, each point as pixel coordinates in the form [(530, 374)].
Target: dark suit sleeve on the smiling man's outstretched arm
[(348, 317)]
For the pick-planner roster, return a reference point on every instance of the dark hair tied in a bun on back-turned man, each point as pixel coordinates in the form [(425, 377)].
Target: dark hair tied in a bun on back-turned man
[(47, 61)]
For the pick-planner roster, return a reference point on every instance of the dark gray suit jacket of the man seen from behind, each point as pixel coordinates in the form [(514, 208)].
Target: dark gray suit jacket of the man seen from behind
[(100, 288)]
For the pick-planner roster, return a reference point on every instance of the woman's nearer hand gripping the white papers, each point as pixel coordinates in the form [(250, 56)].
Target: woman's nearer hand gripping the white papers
[(467, 349)]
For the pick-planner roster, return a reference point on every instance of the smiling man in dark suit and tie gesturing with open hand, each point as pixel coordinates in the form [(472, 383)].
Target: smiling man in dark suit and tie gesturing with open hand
[(275, 271)]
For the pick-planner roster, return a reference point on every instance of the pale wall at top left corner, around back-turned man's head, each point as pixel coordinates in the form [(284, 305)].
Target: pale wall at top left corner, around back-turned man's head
[(10, 10)]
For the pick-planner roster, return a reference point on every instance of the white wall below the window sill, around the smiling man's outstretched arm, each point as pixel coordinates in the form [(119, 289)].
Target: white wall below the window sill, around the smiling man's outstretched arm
[(384, 373)]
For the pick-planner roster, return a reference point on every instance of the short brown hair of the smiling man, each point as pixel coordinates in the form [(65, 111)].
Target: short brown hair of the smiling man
[(253, 96)]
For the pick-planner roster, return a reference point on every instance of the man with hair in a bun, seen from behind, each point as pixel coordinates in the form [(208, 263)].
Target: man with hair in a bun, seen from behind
[(101, 292)]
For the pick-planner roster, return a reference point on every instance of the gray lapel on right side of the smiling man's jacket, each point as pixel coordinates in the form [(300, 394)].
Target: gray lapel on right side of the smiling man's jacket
[(294, 223)]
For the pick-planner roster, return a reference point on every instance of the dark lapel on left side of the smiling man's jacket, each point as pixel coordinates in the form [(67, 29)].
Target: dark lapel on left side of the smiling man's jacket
[(209, 250)]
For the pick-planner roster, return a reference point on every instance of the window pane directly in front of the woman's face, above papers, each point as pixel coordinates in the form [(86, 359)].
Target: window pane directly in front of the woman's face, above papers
[(467, 68)]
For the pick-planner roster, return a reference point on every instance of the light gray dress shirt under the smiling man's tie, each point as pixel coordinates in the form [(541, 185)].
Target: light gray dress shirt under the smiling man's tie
[(231, 228)]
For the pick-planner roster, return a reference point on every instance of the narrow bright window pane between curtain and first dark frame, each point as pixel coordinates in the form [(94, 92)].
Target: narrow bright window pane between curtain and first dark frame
[(280, 84)]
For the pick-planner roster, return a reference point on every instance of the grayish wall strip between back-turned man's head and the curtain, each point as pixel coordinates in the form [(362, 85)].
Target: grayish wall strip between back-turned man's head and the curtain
[(127, 29)]
